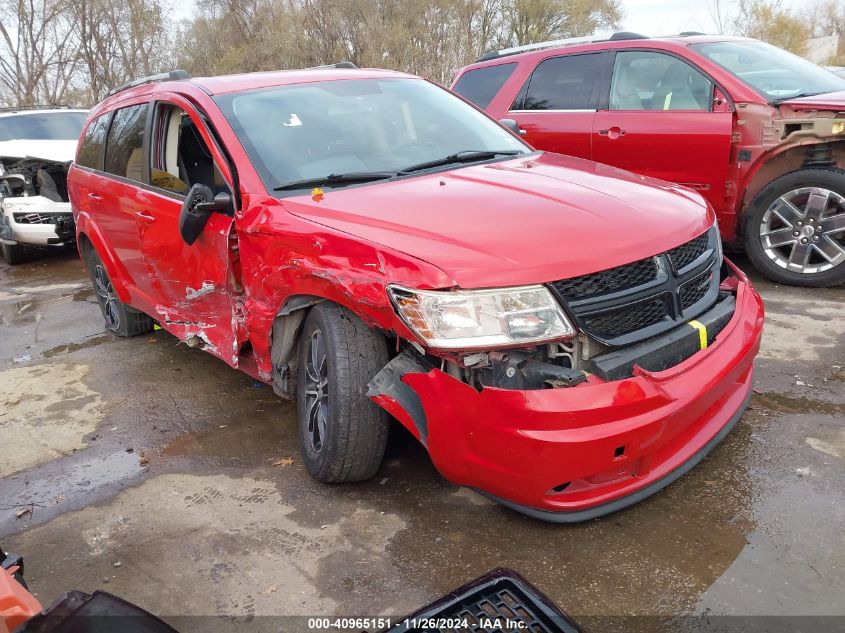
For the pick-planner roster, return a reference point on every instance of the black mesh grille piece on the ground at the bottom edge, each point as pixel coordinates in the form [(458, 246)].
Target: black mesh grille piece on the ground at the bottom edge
[(501, 600)]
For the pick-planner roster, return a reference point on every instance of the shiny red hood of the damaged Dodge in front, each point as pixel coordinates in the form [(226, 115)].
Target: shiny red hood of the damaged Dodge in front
[(521, 221)]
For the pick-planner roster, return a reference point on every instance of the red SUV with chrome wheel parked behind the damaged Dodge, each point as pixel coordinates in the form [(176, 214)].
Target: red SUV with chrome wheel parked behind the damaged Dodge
[(759, 132)]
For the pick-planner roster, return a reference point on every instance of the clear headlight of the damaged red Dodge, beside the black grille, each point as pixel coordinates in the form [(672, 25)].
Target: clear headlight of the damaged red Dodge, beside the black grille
[(473, 319)]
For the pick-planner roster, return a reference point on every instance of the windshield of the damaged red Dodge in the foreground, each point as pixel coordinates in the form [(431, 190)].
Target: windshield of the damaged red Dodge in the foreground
[(310, 131)]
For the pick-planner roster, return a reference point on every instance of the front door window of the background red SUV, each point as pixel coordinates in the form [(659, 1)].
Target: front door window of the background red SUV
[(645, 80)]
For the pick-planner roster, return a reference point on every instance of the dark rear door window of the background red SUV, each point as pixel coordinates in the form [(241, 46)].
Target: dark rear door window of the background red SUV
[(564, 83)]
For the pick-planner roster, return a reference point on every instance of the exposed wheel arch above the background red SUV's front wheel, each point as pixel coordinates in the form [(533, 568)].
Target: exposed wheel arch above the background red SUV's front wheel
[(792, 159)]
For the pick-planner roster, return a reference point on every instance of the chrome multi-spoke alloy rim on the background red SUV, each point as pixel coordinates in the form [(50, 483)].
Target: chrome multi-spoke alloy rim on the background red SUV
[(804, 230)]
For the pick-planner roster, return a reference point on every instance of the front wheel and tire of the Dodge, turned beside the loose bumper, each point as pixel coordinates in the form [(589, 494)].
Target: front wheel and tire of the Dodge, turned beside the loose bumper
[(342, 433)]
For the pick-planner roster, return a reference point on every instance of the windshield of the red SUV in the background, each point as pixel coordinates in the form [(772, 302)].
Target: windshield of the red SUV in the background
[(771, 71)]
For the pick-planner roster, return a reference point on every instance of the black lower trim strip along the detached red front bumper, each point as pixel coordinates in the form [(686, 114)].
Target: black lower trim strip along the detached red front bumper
[(635, 497)]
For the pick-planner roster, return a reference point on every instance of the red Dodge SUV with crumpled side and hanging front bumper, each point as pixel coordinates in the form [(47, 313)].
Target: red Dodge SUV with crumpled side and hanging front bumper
[(560, 335)]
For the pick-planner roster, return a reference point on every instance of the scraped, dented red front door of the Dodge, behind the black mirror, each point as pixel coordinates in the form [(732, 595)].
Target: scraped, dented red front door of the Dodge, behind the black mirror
[(198, 285)]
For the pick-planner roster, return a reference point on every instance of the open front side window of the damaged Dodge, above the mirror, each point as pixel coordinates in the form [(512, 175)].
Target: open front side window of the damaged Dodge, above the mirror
[(179, 156)]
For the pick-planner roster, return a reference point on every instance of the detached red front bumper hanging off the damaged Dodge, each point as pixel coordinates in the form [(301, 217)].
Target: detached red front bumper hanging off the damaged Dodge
[(571, 454)]
